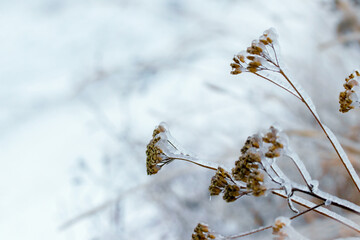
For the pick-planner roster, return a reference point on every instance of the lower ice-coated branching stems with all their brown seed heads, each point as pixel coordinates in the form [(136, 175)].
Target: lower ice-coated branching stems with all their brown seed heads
[(255, 173)]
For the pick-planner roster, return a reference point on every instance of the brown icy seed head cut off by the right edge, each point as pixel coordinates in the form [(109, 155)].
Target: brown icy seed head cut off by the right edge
[(350, 98)]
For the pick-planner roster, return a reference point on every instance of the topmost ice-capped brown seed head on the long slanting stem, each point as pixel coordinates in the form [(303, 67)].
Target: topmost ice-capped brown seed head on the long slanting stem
[(259, 56)]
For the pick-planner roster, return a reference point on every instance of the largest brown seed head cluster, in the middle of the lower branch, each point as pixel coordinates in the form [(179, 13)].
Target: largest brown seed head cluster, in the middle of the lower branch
[(249, 168)]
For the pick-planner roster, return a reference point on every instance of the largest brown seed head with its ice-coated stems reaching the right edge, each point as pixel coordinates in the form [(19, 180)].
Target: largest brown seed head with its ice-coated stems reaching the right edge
[(256, 173)]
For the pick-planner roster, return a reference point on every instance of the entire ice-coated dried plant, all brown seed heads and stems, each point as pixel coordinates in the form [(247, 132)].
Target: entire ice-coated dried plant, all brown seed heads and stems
[(257, 173)]
